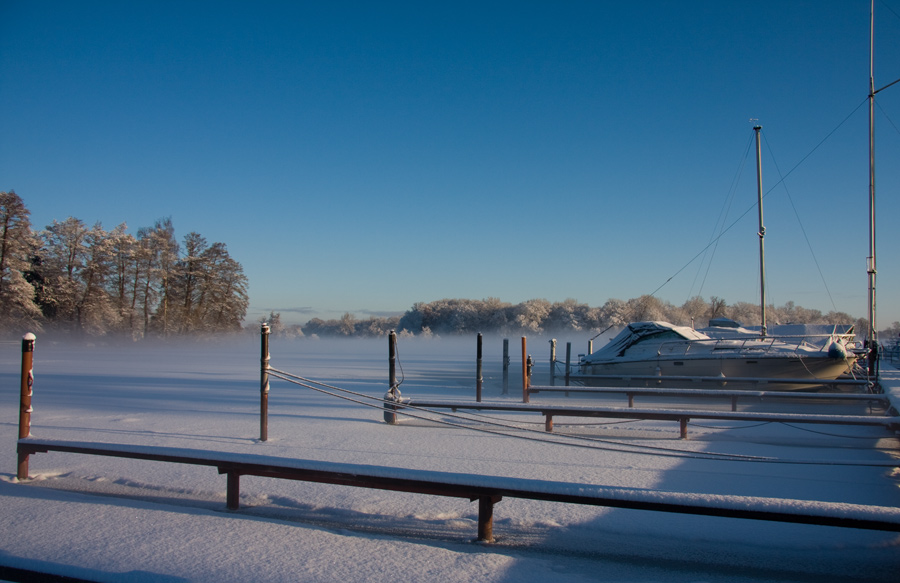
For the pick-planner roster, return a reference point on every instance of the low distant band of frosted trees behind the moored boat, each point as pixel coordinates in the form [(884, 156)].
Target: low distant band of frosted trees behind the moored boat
[(461, 316)]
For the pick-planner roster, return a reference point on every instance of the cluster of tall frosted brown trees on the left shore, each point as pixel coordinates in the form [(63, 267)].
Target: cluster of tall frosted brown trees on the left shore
[(88, 281)]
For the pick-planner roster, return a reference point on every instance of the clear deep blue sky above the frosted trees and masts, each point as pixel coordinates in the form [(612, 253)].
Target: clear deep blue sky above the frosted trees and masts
[(363, 156)]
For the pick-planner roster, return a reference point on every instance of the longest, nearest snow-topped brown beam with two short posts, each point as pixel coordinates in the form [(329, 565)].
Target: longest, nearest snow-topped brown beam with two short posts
[(487, 490)]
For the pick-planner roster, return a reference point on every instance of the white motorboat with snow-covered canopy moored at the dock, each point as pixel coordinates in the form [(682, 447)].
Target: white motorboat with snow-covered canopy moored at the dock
[(659, 353)]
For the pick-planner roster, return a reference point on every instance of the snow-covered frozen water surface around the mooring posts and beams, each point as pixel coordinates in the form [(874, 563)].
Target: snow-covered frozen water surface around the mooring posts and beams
[(108, 519)]
